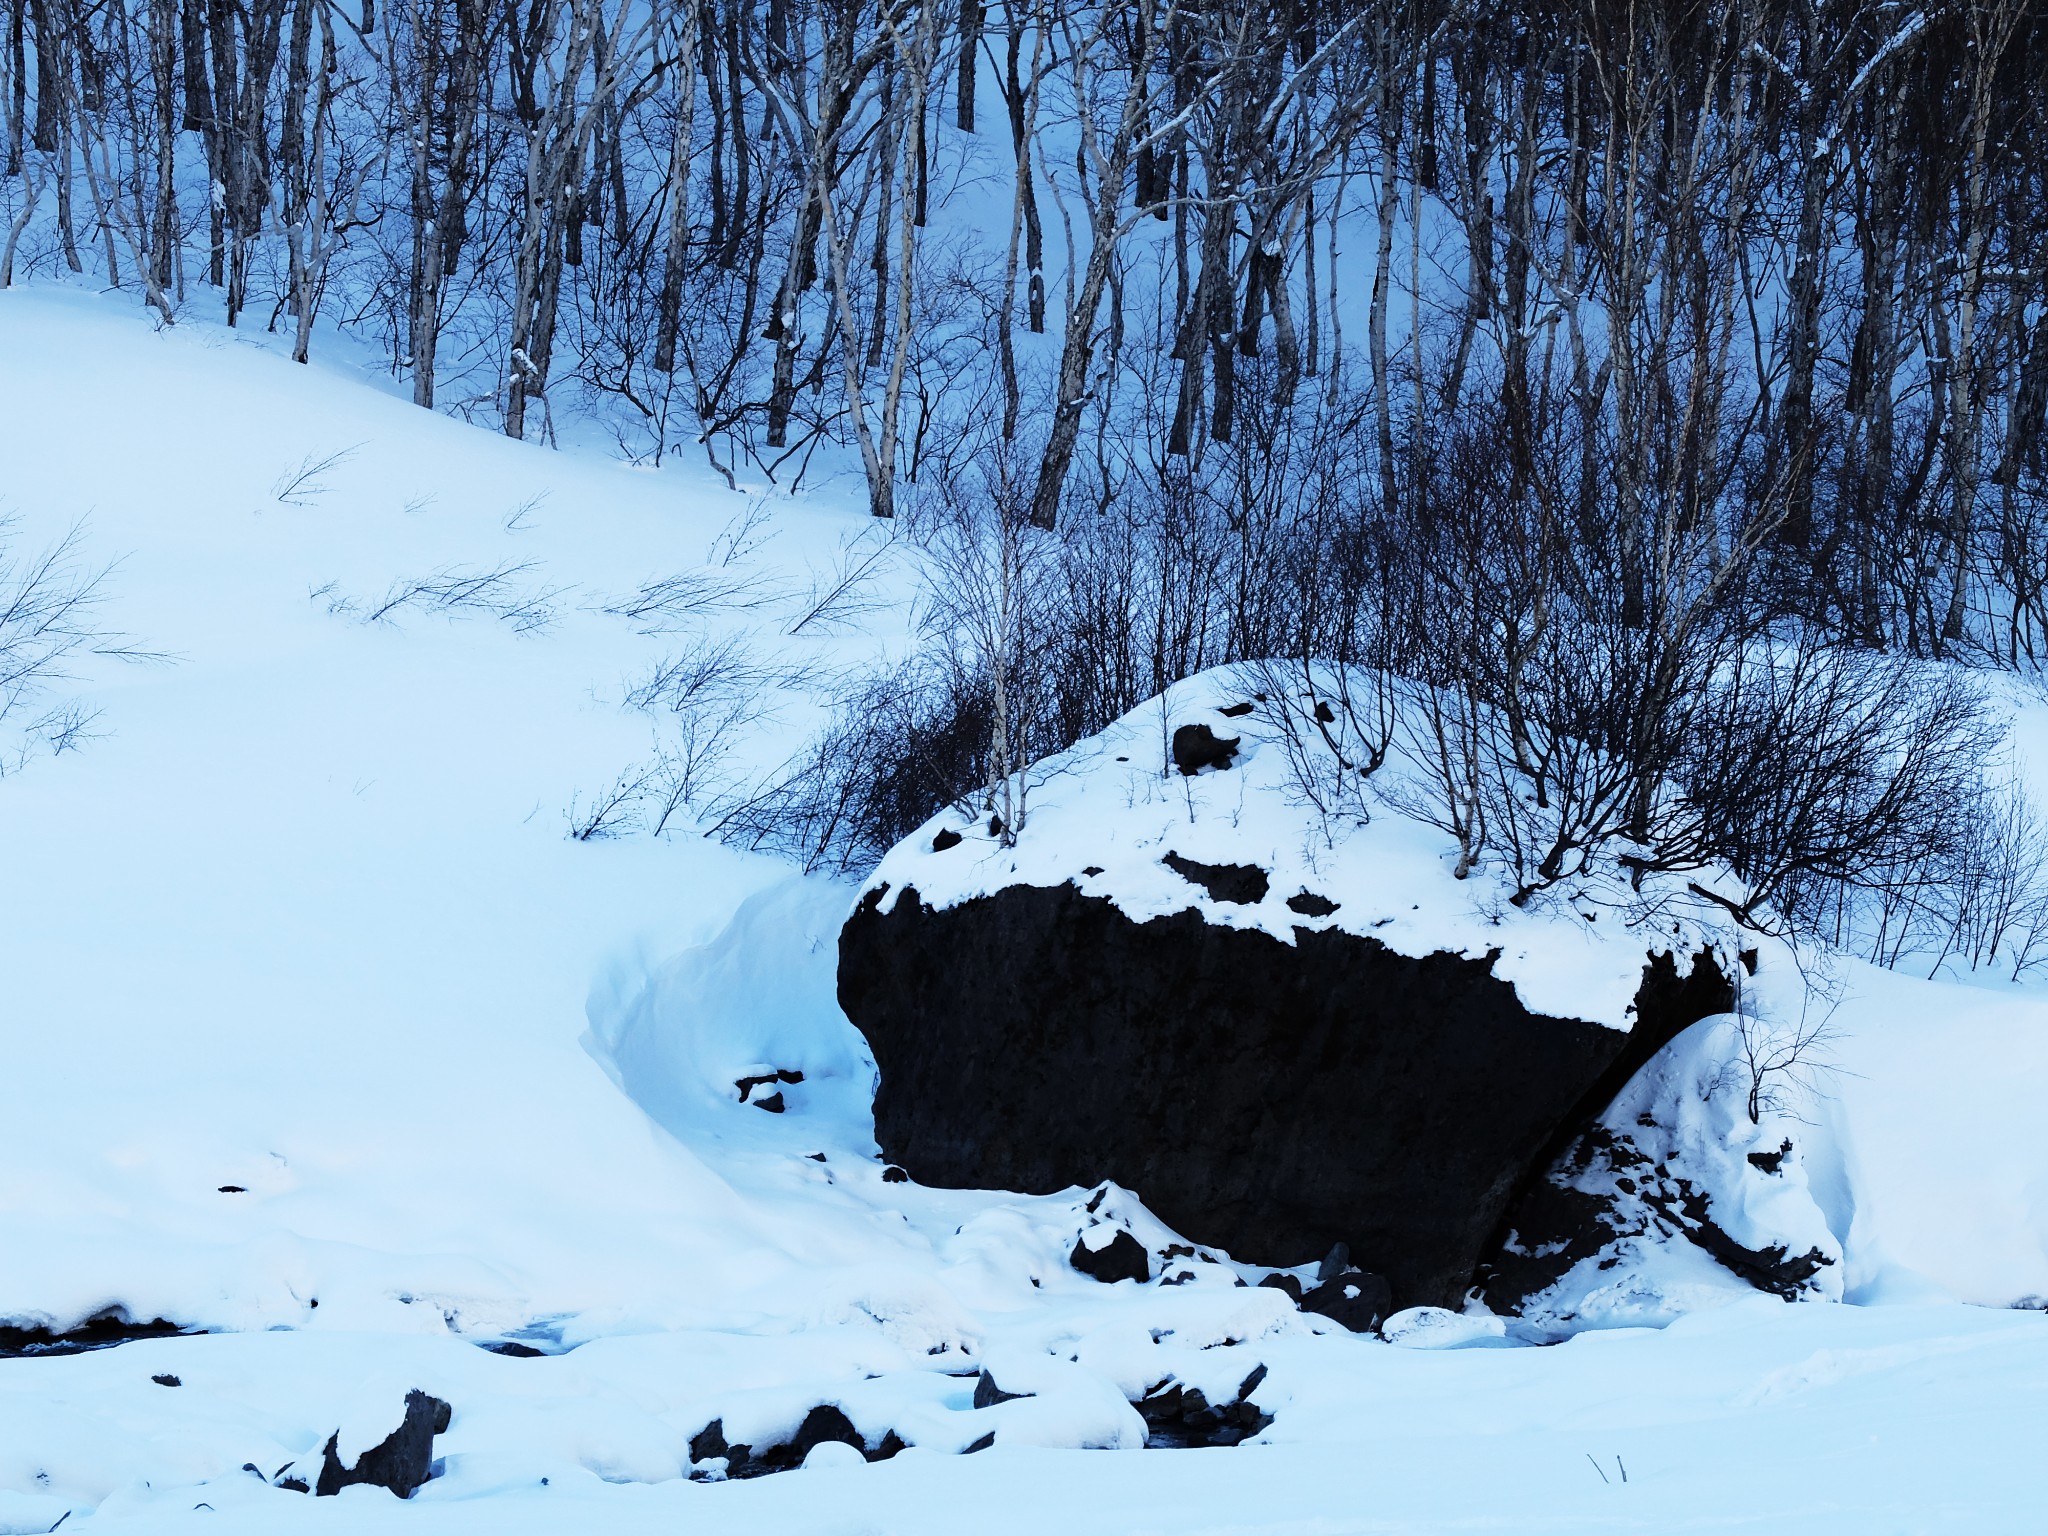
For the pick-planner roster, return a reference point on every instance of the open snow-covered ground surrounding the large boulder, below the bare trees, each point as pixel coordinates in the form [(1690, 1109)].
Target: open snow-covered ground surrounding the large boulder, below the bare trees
[(323, 1033)]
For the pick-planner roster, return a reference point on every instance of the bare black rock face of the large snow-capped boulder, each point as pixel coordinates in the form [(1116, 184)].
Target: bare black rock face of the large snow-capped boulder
[(1269, 1099)]
